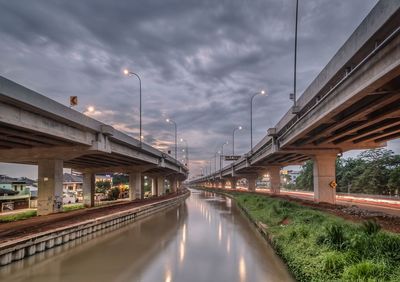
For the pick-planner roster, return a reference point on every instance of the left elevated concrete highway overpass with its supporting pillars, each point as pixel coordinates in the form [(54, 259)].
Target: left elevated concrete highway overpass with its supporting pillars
[(37, 130)]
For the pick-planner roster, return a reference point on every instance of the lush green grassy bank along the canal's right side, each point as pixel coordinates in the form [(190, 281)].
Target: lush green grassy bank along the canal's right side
[(318, 246)]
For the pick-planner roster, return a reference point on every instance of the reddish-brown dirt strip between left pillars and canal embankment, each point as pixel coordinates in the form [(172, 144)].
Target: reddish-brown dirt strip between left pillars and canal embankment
[(18, 229)]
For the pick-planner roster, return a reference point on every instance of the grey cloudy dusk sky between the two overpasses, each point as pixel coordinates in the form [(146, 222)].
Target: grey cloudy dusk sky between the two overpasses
[(199, 60)]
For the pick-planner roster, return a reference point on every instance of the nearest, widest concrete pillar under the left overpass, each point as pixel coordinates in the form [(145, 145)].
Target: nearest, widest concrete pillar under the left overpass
[(50, 181)]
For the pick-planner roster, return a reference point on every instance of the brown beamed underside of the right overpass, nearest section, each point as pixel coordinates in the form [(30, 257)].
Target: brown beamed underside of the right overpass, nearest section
[(365, 123)]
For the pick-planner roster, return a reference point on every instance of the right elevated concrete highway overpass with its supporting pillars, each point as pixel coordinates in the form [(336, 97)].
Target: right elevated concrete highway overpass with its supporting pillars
[(354, 103)]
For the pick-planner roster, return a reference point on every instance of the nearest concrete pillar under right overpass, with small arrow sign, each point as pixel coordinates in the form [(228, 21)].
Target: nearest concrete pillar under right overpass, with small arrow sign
[(324, 174)]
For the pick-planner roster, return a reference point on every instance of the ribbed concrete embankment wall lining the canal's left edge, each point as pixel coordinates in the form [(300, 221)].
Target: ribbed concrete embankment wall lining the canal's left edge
[(29, 245)]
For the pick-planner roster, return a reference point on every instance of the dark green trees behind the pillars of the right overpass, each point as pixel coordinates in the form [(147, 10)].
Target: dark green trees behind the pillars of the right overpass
[(372, 172)]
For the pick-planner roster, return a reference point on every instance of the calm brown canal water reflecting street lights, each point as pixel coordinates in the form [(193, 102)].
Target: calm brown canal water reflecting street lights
[(204, 239)]
